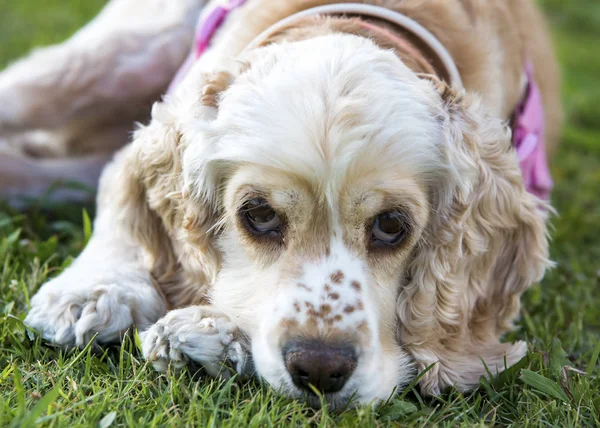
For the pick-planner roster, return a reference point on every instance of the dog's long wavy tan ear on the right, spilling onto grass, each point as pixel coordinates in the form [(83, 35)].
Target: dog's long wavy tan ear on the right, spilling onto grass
[(485, 244)]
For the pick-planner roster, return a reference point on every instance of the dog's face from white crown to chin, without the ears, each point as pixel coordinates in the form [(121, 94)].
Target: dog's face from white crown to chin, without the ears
[(321, 210)]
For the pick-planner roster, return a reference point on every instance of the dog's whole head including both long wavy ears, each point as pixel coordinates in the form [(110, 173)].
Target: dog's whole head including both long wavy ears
[(358, 222)]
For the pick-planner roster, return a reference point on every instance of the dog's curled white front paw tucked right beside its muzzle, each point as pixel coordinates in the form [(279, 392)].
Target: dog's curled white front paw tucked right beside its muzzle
[(196, 333)]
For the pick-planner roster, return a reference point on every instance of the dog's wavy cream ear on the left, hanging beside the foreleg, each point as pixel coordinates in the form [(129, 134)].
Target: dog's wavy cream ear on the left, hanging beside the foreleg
[(181, 182)]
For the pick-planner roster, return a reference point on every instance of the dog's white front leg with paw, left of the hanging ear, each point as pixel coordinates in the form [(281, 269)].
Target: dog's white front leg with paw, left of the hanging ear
[(109, 287)]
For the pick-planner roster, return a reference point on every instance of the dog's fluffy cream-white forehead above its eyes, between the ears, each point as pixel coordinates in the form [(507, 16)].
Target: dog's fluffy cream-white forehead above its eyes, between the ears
[(341, 110)]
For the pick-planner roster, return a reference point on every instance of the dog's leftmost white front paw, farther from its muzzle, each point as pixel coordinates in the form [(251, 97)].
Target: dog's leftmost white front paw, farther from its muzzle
[(68, 315)]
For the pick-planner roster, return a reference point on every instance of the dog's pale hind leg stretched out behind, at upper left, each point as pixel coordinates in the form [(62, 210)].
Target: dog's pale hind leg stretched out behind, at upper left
[(112, 68)]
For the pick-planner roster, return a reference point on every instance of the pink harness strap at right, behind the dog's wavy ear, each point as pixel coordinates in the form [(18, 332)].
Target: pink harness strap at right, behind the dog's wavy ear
[(528, 139)]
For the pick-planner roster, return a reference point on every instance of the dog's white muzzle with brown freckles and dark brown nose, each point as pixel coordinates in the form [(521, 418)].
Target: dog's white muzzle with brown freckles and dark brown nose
[(320, 334)]
